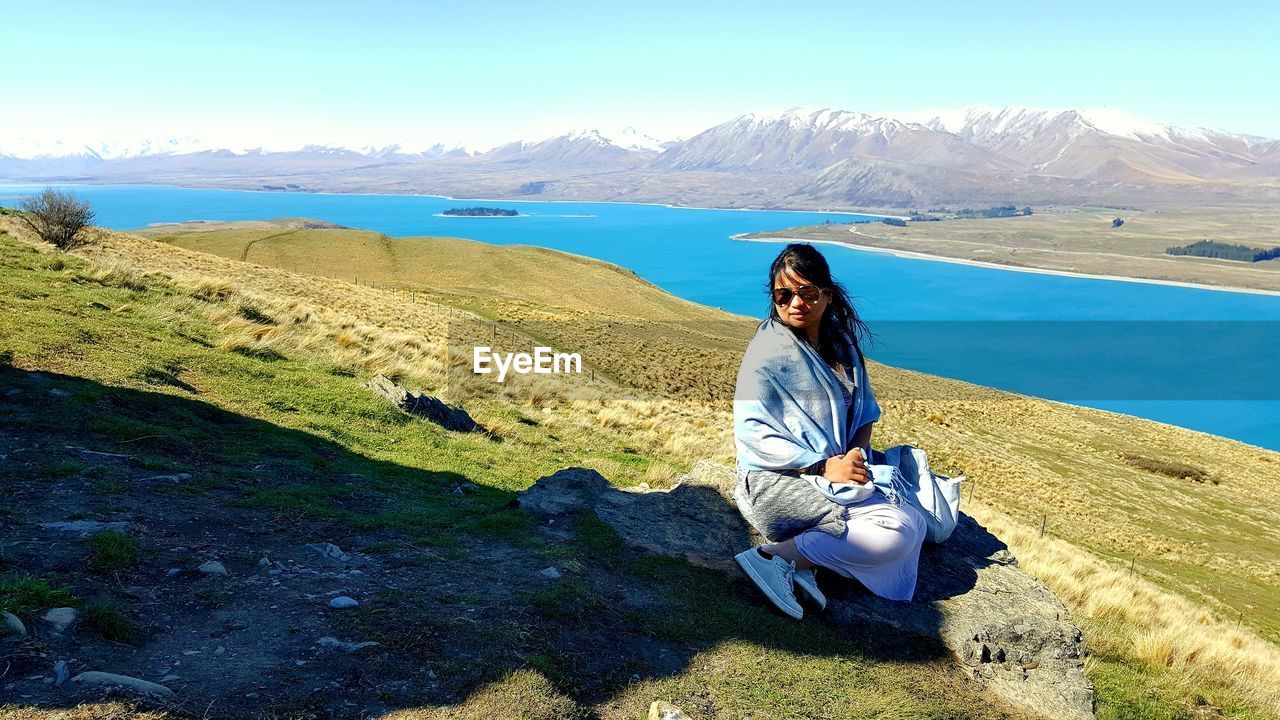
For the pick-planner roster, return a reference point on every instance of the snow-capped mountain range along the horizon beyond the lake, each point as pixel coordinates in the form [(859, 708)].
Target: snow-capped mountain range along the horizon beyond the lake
[(801, 158)]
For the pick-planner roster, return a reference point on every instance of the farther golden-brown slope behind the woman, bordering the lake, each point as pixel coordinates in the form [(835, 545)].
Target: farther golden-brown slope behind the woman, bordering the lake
[(1210, 540)]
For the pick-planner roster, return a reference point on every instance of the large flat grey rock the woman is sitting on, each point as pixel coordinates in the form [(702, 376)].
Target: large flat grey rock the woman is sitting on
[(1000, 623)]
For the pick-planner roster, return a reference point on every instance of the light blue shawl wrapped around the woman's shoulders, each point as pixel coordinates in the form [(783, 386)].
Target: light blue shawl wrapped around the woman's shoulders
[(789, 407)]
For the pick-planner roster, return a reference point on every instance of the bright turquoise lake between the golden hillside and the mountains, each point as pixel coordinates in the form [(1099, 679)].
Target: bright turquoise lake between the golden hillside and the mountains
[(1195, 358)]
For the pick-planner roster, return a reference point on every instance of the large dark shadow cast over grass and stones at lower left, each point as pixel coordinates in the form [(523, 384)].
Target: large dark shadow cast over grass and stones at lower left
[(461, 603)]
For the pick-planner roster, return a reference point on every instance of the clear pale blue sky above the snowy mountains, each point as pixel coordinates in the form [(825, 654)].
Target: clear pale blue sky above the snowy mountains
[(483, 71)]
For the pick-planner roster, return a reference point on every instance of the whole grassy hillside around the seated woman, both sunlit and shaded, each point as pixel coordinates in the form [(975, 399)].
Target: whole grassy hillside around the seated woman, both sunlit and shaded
[(252, 377)]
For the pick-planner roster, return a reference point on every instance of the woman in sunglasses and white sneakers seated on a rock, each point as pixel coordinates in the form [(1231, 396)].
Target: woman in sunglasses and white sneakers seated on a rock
[(803, 414)]
